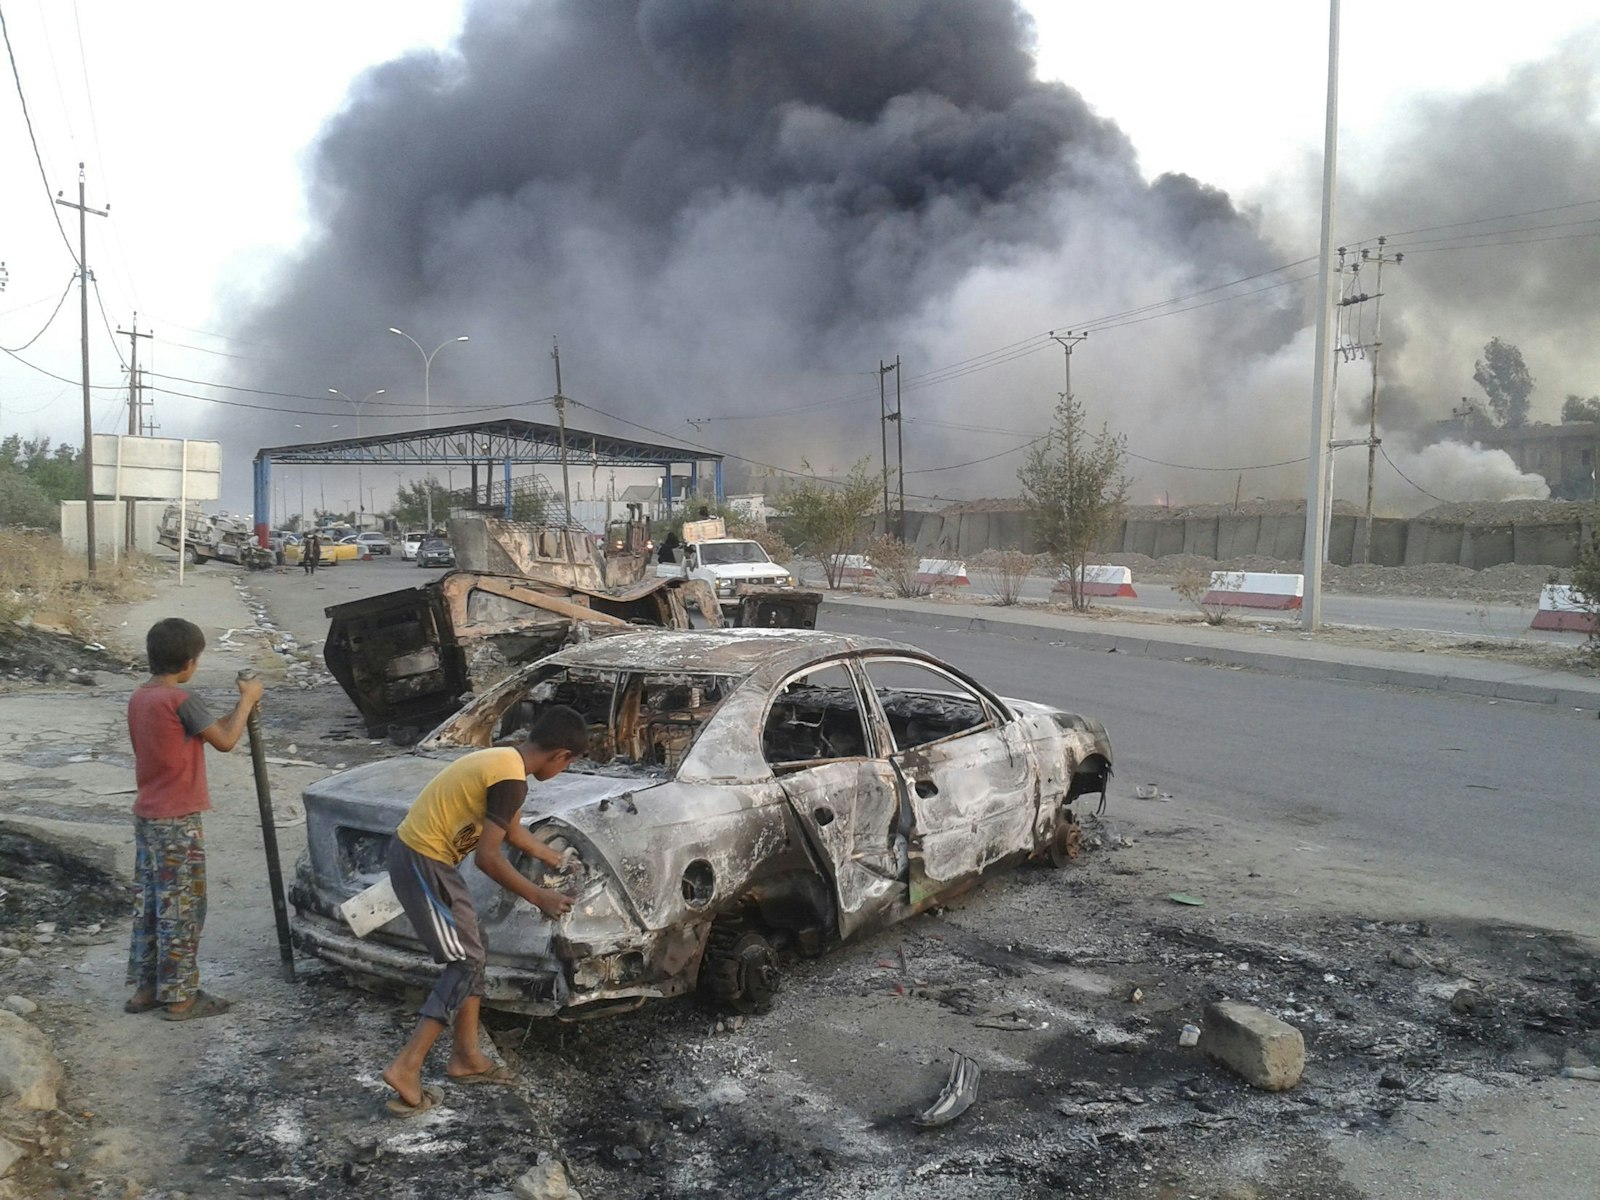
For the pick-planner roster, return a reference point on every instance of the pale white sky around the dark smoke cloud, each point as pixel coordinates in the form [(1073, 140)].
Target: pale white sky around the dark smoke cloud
[(196, 124)]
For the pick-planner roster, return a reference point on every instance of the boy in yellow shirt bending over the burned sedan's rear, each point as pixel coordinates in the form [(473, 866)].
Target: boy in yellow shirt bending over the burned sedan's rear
[(471, 807)]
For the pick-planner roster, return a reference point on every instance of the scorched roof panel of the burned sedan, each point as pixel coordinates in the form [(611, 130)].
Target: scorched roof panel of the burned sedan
[(719, 652)]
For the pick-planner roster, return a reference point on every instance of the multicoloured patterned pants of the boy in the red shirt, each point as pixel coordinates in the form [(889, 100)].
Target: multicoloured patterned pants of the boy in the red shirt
[(169, 876)]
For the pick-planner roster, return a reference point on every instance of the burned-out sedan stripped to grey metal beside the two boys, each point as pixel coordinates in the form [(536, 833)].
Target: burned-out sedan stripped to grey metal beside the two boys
[(748, 793)]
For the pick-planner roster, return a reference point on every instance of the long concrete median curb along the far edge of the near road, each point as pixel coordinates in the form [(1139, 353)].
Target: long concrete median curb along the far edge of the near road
[(1260, 660)]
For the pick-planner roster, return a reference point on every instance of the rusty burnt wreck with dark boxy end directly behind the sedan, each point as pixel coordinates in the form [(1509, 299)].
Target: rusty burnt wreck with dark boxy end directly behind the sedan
[(407, 658)]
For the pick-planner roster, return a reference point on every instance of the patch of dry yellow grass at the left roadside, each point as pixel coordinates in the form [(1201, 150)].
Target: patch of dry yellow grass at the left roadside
[(49, 588)]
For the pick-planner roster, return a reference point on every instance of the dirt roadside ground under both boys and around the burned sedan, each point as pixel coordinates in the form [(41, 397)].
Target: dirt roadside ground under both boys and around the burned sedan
[(1434, 1038)]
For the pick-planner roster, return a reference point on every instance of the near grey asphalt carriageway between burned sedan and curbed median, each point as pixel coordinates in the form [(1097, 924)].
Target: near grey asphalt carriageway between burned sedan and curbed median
[(1497, 802)]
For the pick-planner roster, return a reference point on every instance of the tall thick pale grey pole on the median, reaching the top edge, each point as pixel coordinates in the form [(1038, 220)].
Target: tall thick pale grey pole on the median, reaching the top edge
[(1311, 607)]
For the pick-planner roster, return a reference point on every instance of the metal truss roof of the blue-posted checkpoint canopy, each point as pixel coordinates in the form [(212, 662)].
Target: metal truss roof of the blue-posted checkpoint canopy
[(508, 441)]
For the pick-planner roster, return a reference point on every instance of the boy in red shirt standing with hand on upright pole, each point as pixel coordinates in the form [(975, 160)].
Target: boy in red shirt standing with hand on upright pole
[(170, 730)]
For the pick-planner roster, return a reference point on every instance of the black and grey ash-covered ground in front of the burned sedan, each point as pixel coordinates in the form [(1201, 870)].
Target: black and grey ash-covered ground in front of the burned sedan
[(1086, 1094)]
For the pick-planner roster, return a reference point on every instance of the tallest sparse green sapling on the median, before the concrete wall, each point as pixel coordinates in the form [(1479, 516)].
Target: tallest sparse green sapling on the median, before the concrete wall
[(1074, 489)]
